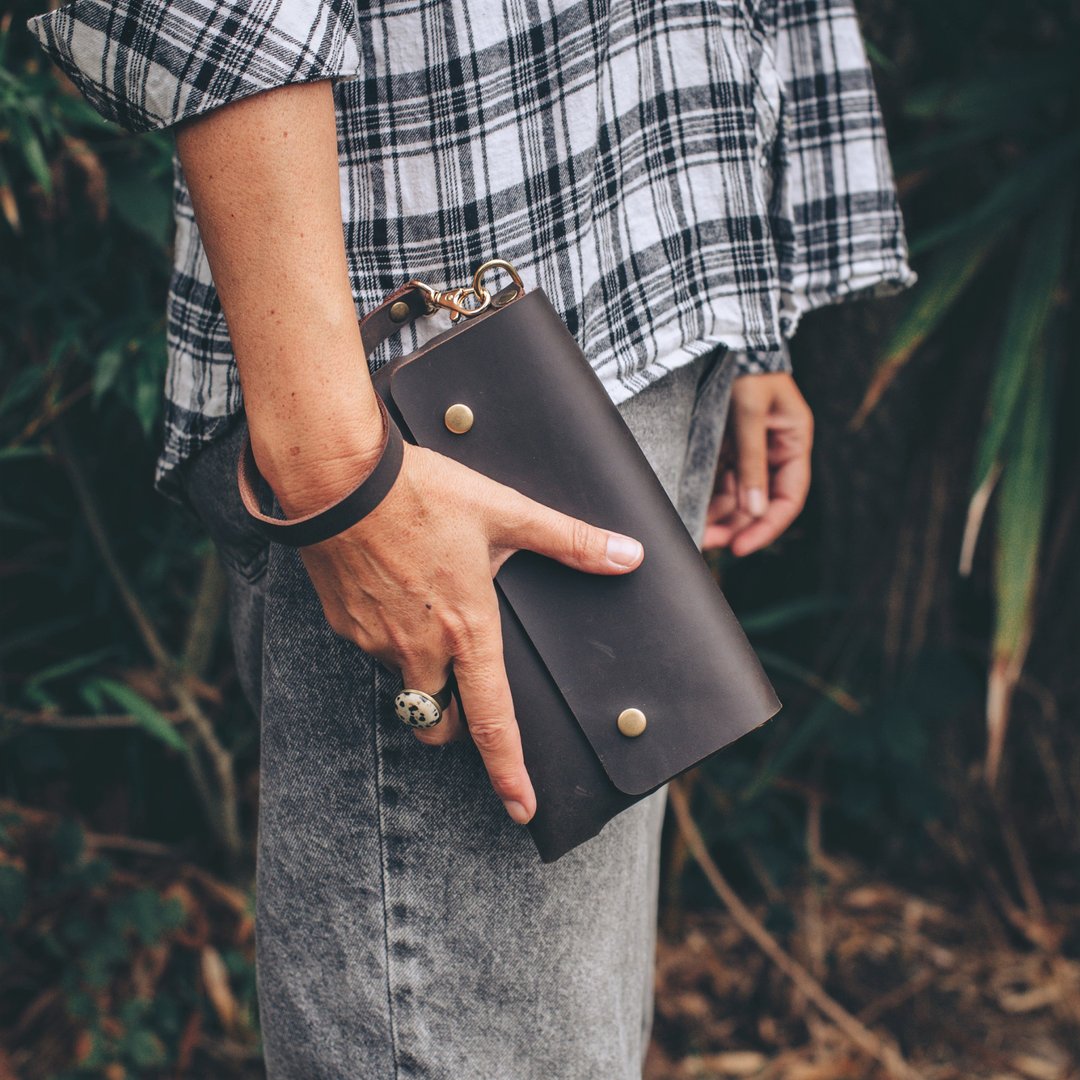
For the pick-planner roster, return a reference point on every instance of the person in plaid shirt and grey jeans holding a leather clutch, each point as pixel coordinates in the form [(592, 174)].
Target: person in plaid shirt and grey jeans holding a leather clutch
[(684, 182)]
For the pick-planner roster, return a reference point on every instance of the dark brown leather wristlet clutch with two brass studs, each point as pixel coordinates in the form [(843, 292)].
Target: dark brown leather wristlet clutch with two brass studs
[(619, 683)]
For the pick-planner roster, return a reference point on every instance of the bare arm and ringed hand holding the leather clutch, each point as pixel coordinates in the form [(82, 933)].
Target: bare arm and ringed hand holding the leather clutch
[(264, 179)]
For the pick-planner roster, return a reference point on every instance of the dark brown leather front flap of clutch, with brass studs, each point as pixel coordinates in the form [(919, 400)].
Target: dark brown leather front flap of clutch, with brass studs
[(661, 639)]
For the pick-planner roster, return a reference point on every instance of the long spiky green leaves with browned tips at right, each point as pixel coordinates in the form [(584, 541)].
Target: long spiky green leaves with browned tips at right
[(996, 153)]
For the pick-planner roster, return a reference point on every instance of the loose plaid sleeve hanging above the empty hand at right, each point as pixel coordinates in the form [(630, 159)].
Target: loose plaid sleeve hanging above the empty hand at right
[(835, 214)]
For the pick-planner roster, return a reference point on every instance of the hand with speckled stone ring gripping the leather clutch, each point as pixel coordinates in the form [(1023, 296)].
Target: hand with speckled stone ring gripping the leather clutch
[(412, 584)]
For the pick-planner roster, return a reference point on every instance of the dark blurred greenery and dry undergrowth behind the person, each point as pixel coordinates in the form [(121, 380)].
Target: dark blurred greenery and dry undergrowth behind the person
[(881, 883)]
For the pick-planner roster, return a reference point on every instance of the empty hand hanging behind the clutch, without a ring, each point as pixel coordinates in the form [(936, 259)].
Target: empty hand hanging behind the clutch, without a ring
[(763, 475)]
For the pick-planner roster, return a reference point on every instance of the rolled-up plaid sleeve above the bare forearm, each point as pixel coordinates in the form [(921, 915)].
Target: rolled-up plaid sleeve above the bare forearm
[(148, 64)]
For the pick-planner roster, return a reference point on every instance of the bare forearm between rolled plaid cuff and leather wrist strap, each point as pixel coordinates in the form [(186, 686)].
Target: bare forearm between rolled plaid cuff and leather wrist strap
[(264, 180)]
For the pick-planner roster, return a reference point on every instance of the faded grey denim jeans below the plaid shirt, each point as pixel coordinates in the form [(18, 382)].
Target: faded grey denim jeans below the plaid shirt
[(406, 927)]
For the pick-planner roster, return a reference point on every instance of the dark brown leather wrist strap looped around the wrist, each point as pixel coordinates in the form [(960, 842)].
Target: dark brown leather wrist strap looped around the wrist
[(339, 517)]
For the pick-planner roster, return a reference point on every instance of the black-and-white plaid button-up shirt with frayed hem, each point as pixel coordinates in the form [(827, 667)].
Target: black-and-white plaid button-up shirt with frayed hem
[(676, 177)]
